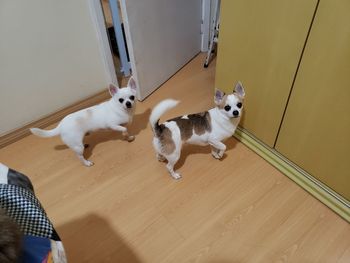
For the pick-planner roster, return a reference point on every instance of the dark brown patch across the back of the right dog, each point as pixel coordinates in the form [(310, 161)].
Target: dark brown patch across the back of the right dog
[(198, 123)]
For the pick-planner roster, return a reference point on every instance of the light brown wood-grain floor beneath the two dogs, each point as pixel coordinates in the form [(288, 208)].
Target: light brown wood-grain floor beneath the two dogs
[(126, 208)]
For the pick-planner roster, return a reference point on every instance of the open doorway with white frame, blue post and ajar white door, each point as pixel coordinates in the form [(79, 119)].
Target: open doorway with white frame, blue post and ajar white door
[(162, 36)]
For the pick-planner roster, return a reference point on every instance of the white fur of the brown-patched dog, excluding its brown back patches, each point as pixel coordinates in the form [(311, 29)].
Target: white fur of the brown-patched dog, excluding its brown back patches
[(223, 126)]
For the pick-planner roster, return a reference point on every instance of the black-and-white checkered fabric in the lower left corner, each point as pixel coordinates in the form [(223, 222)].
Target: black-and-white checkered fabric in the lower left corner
[(21, 205)]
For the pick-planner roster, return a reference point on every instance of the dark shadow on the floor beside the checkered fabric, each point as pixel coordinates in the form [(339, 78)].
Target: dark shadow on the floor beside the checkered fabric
[(92, 239)]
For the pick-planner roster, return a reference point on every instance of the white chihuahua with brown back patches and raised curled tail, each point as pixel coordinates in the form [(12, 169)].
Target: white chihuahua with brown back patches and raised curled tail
[(210, 127)]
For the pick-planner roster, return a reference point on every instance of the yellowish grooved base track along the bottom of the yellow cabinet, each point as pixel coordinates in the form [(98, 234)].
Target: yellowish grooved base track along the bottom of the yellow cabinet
[(323, 193)]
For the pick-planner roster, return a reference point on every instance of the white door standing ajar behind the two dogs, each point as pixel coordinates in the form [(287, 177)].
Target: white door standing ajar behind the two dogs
[(162, 36)]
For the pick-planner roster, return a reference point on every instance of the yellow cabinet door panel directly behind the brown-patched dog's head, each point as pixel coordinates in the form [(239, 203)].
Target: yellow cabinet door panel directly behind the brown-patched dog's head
[(260, 44)]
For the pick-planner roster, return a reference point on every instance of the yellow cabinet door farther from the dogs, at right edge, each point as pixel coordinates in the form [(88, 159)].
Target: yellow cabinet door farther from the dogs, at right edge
[(315, 133)]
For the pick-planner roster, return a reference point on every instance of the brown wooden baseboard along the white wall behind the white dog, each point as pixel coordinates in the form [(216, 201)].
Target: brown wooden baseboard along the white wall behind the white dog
[(22, 132)]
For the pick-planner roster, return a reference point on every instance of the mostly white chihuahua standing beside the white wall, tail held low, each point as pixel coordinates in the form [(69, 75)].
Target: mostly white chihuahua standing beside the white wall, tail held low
[(111, 114)]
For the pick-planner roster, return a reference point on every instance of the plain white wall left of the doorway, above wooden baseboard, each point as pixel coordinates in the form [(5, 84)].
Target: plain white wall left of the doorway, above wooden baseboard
[(49, 58)]
